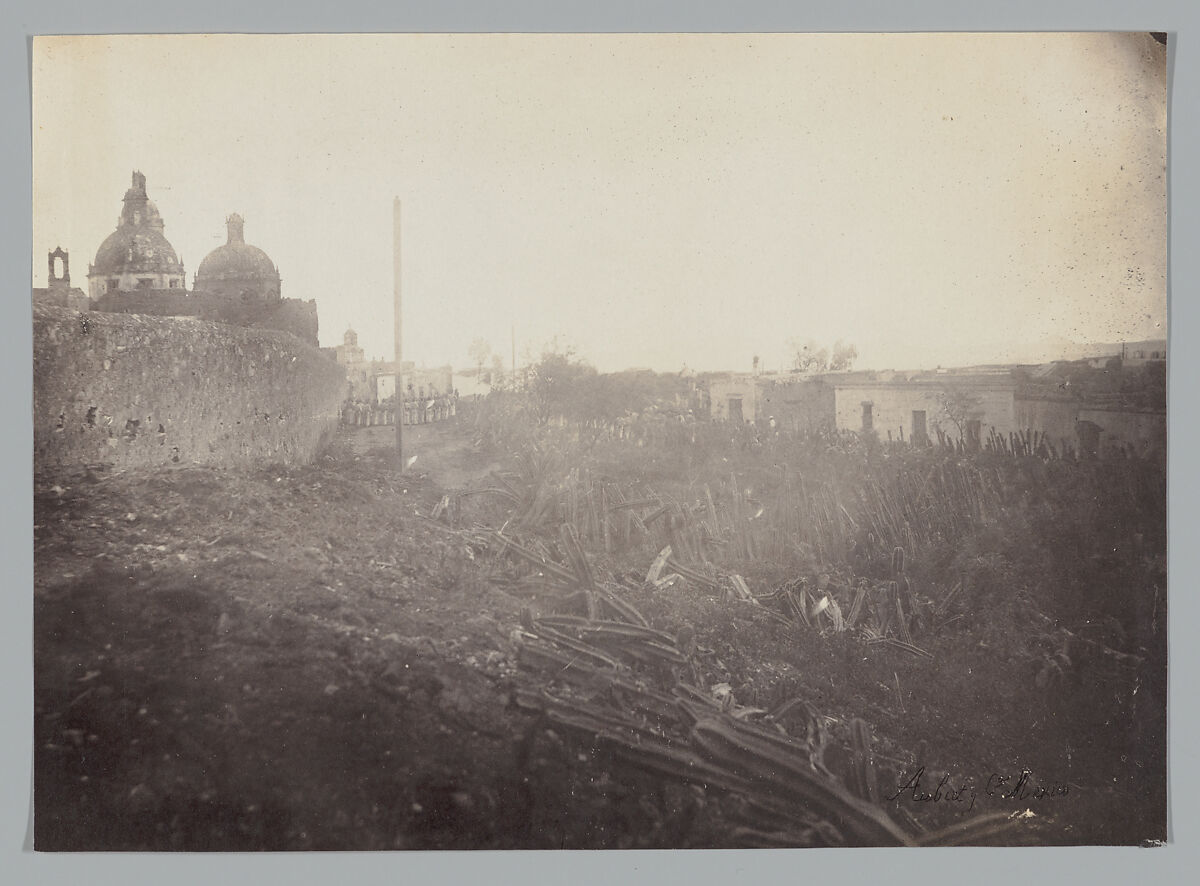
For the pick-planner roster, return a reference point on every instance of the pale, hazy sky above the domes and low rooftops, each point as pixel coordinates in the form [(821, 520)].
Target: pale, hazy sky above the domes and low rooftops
[(653, 201)]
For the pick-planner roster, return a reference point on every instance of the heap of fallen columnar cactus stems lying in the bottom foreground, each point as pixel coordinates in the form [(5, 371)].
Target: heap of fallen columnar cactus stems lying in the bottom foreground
[(619, 689)]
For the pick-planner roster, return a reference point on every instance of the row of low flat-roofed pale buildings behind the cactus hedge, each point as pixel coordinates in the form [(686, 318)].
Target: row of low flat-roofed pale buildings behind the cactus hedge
[(963, 404)]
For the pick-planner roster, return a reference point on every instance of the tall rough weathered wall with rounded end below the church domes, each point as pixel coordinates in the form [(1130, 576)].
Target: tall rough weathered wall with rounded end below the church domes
[(137, 391)]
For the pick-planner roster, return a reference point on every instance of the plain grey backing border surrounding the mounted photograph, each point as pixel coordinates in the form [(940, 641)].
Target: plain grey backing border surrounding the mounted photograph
[(1100, 865)]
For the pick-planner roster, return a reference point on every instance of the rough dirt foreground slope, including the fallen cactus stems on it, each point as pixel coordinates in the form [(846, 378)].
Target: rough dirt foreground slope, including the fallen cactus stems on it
[(339, 657)]
